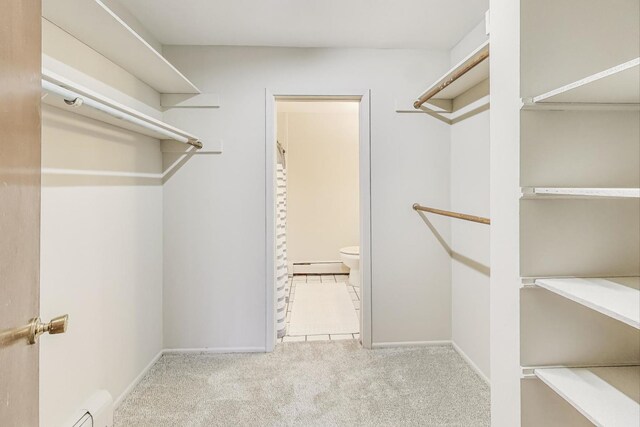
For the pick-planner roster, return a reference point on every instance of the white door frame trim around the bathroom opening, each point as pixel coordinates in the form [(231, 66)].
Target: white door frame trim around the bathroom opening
[(362, 96)]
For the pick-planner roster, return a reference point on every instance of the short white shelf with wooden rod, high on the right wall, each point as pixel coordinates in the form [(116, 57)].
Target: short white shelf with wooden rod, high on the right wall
[(466, 74)]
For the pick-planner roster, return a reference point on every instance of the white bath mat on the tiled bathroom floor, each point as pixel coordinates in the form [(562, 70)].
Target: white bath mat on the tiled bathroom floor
[(322, 309)]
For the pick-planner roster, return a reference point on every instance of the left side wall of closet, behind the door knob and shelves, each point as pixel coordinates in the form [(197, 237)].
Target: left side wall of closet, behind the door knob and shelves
[(101, 239)]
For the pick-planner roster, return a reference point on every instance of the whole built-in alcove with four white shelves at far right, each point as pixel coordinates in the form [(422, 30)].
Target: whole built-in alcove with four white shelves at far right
[(579, 214)]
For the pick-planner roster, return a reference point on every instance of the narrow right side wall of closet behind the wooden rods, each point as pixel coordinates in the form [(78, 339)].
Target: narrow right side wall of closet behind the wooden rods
[(470, 241)]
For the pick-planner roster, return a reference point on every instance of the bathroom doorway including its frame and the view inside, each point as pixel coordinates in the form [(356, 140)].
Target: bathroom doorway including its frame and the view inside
[(318, 243)]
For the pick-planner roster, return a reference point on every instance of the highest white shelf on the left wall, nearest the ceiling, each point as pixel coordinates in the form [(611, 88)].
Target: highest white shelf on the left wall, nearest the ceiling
[(93, 23)]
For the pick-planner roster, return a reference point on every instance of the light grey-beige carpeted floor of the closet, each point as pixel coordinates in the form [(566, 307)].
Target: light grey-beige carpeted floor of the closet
[(310, 384)]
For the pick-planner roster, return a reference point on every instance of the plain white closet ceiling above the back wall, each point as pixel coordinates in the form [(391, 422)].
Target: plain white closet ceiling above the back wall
[(437, 24)]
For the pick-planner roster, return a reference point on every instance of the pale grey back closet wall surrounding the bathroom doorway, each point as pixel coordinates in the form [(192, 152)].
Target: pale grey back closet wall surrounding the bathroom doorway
[(215, 205)]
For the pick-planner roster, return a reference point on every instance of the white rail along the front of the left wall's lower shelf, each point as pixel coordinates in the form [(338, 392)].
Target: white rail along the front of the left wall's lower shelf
[(73, 99)]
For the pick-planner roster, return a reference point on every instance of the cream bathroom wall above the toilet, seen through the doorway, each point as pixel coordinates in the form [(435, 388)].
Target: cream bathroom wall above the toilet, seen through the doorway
[(321, 140)]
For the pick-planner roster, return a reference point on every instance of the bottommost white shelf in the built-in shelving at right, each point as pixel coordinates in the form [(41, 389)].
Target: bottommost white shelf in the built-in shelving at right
[(605, 396)]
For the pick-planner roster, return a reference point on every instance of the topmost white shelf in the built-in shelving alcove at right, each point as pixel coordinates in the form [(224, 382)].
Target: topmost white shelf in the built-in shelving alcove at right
[(619, 85)]
